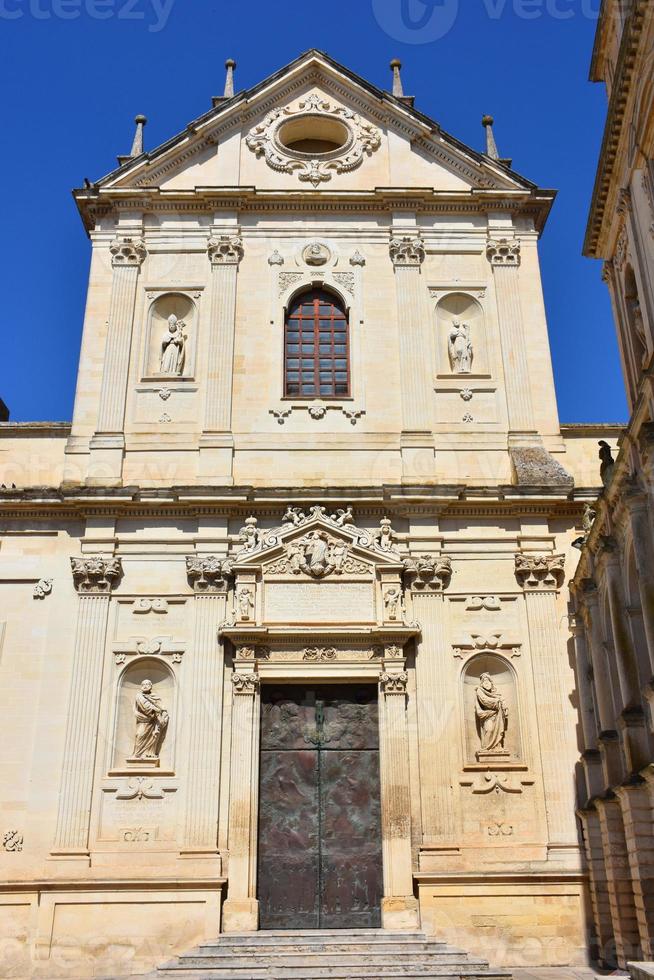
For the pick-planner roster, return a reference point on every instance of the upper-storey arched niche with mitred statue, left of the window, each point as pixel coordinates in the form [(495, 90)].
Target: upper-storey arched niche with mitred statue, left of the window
[(163, 358)]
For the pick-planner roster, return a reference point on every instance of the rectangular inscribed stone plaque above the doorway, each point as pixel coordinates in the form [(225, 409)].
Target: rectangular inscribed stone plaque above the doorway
[(319, 602)]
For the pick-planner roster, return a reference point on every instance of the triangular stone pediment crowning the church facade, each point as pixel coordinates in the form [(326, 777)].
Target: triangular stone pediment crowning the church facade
[(238, 142)]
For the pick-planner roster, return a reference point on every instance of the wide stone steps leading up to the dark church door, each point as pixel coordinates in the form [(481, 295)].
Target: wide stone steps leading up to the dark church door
[(358, 954)]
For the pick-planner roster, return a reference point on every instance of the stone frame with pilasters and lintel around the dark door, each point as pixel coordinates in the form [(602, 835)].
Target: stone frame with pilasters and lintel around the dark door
[(262, 655)]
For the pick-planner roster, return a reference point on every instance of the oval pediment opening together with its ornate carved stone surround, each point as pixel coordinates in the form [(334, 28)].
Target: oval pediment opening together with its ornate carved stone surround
[(316, 140)]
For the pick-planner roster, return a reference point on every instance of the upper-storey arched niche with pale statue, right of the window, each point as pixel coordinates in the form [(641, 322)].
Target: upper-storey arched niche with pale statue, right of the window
[(464, 310)]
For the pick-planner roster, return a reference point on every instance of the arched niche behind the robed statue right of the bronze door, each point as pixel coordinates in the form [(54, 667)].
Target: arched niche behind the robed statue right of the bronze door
[(503, 679)]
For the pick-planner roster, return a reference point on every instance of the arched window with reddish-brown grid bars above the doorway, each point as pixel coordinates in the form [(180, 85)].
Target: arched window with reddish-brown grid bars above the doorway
[(316, 347)]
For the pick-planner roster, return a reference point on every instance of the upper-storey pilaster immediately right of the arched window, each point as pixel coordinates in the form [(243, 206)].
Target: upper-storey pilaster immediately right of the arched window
[(407, 255)]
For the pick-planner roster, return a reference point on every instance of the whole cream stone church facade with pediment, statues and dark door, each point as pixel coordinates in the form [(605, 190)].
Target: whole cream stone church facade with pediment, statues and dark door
[(285, 636)]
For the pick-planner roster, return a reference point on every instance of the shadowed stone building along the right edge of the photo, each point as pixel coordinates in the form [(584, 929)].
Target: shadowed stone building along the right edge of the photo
[(613, 587)]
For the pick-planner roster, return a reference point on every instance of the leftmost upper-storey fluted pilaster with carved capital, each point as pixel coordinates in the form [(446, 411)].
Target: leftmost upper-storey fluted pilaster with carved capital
[(108, 443)]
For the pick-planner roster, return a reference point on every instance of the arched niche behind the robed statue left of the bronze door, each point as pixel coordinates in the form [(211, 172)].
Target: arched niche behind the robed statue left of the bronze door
[(129, 686)]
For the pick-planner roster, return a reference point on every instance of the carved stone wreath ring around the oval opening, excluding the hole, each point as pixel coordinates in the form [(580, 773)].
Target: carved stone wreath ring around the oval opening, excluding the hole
[(315, 168)]
